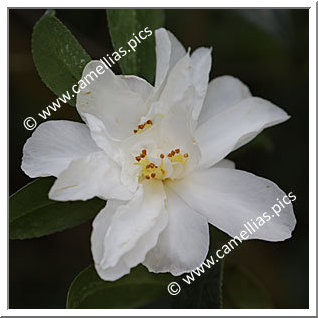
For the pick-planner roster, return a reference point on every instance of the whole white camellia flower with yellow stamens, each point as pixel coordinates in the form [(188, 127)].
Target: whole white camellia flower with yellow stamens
[(157, 155)]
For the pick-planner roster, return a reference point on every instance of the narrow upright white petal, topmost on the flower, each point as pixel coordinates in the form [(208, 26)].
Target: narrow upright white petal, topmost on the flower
[(168, 51)]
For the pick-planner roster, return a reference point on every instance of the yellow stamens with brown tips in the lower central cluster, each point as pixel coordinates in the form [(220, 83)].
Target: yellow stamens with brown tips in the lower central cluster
[(150, 170)]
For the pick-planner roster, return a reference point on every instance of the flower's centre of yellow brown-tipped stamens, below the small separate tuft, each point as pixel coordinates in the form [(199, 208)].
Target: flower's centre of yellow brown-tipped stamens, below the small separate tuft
[(152, 169)]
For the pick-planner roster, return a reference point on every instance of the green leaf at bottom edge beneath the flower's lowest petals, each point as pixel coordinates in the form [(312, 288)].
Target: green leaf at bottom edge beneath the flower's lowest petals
[(135, 290)]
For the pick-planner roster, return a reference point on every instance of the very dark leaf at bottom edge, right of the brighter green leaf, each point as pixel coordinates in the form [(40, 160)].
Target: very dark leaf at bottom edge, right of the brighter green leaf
[(205, 292)]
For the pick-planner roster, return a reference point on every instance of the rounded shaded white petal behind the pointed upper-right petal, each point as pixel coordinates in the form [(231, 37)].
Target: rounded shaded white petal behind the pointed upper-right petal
[(223, 92)]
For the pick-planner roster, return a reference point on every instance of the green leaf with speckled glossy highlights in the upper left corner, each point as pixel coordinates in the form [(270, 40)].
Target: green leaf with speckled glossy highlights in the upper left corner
[(57, 55)]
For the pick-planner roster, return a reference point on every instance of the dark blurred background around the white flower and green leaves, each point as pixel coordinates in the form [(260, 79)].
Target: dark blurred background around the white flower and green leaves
[(266, 49)]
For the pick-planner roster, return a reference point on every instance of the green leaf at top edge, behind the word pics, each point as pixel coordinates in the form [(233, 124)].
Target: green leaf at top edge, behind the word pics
[(122, 24)]
